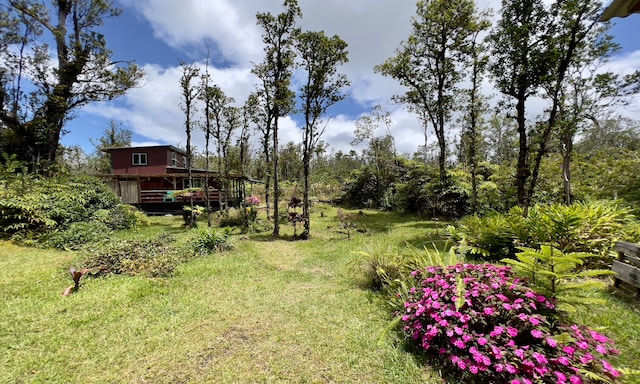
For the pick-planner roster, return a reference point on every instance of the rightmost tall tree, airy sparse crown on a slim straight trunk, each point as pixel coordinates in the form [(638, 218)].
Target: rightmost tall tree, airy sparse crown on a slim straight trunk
[(581, 92)]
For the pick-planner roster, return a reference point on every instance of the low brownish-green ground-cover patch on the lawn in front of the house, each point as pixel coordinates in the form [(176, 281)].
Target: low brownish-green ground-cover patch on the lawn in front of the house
[(155, 257)]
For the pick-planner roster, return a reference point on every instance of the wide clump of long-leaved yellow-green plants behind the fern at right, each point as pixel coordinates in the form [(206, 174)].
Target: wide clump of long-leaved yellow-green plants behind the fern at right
[(591, 227)]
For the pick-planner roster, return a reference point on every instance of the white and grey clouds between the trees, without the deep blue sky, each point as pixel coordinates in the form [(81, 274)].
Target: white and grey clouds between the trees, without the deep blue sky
[(372, 29)]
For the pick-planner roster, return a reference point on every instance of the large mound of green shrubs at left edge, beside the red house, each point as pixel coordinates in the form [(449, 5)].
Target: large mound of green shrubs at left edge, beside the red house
[(31, 207)]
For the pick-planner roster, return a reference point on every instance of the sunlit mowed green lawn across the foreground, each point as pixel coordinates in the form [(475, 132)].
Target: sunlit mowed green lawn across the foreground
[(268, 311)]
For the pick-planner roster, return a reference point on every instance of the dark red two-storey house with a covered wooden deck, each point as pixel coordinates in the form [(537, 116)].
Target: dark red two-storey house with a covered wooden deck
[(149, 177)]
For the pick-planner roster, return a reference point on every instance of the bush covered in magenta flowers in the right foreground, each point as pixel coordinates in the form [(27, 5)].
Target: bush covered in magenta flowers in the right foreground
[(499, 330)]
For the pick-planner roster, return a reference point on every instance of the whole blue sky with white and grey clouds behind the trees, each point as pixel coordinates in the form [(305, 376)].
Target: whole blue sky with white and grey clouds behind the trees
[(159, 34)]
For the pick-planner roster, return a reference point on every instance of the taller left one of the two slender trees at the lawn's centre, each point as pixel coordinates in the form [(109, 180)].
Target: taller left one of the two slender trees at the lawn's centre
[(275, 74)]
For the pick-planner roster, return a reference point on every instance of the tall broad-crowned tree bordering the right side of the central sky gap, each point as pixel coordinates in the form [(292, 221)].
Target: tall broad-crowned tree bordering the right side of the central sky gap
[(429, 63)]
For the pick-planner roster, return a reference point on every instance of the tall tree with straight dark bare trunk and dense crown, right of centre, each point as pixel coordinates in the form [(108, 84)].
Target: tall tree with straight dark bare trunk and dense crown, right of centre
[(519, 50)]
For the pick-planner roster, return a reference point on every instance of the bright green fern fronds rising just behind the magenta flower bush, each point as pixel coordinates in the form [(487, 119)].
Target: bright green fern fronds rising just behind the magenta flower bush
[(555, 274)]
